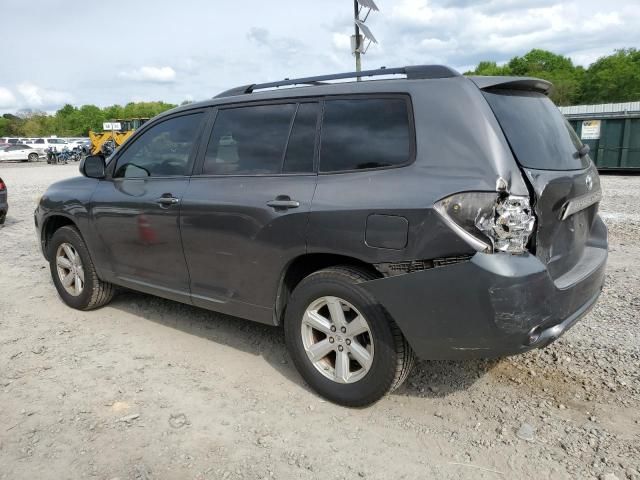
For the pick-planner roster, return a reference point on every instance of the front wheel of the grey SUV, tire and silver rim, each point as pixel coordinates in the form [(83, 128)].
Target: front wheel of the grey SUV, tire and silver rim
[(93, 292)]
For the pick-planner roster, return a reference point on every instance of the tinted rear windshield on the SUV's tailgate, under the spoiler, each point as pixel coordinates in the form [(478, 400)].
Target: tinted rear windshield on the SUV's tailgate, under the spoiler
[(539, 135)]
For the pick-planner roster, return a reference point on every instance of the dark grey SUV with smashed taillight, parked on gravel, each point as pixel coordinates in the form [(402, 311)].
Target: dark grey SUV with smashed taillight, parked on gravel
[(435, 215)]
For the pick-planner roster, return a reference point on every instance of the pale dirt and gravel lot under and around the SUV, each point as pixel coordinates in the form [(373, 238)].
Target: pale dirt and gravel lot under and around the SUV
[(147, 388)]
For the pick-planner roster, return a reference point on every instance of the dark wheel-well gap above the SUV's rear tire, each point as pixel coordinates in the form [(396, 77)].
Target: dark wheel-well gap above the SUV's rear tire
[(303, 266)]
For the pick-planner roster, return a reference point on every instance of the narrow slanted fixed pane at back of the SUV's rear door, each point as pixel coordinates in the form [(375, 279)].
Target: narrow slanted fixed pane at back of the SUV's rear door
[(302, 142)]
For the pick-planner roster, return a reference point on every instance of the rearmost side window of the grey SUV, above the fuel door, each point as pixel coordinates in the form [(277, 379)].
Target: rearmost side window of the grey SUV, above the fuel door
[(364, 133)]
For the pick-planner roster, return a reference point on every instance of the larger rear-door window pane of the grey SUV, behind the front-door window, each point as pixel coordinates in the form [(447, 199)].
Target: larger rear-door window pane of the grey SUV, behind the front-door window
[(249, 140)]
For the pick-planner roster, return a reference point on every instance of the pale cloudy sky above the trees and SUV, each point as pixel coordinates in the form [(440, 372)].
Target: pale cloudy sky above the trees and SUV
[(54, 52)]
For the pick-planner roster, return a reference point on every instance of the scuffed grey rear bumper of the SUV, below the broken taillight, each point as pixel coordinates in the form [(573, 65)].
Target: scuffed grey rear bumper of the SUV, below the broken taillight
[(493, 305)]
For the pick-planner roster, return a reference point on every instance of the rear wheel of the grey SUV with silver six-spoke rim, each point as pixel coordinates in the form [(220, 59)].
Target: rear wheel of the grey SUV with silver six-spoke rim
[(391, 357)]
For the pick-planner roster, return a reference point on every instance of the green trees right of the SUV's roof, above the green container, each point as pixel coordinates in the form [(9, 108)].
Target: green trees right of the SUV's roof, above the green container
[(612, 78)]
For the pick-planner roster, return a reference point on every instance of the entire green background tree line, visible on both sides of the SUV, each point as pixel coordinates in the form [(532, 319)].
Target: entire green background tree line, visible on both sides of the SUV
[(612, 78)]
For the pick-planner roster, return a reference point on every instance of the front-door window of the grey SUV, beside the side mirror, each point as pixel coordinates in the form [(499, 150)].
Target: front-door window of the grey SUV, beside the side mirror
[(163, 150)]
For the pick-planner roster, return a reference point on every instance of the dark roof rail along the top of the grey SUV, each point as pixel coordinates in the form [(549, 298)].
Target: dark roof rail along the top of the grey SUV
[(412, 72)]
